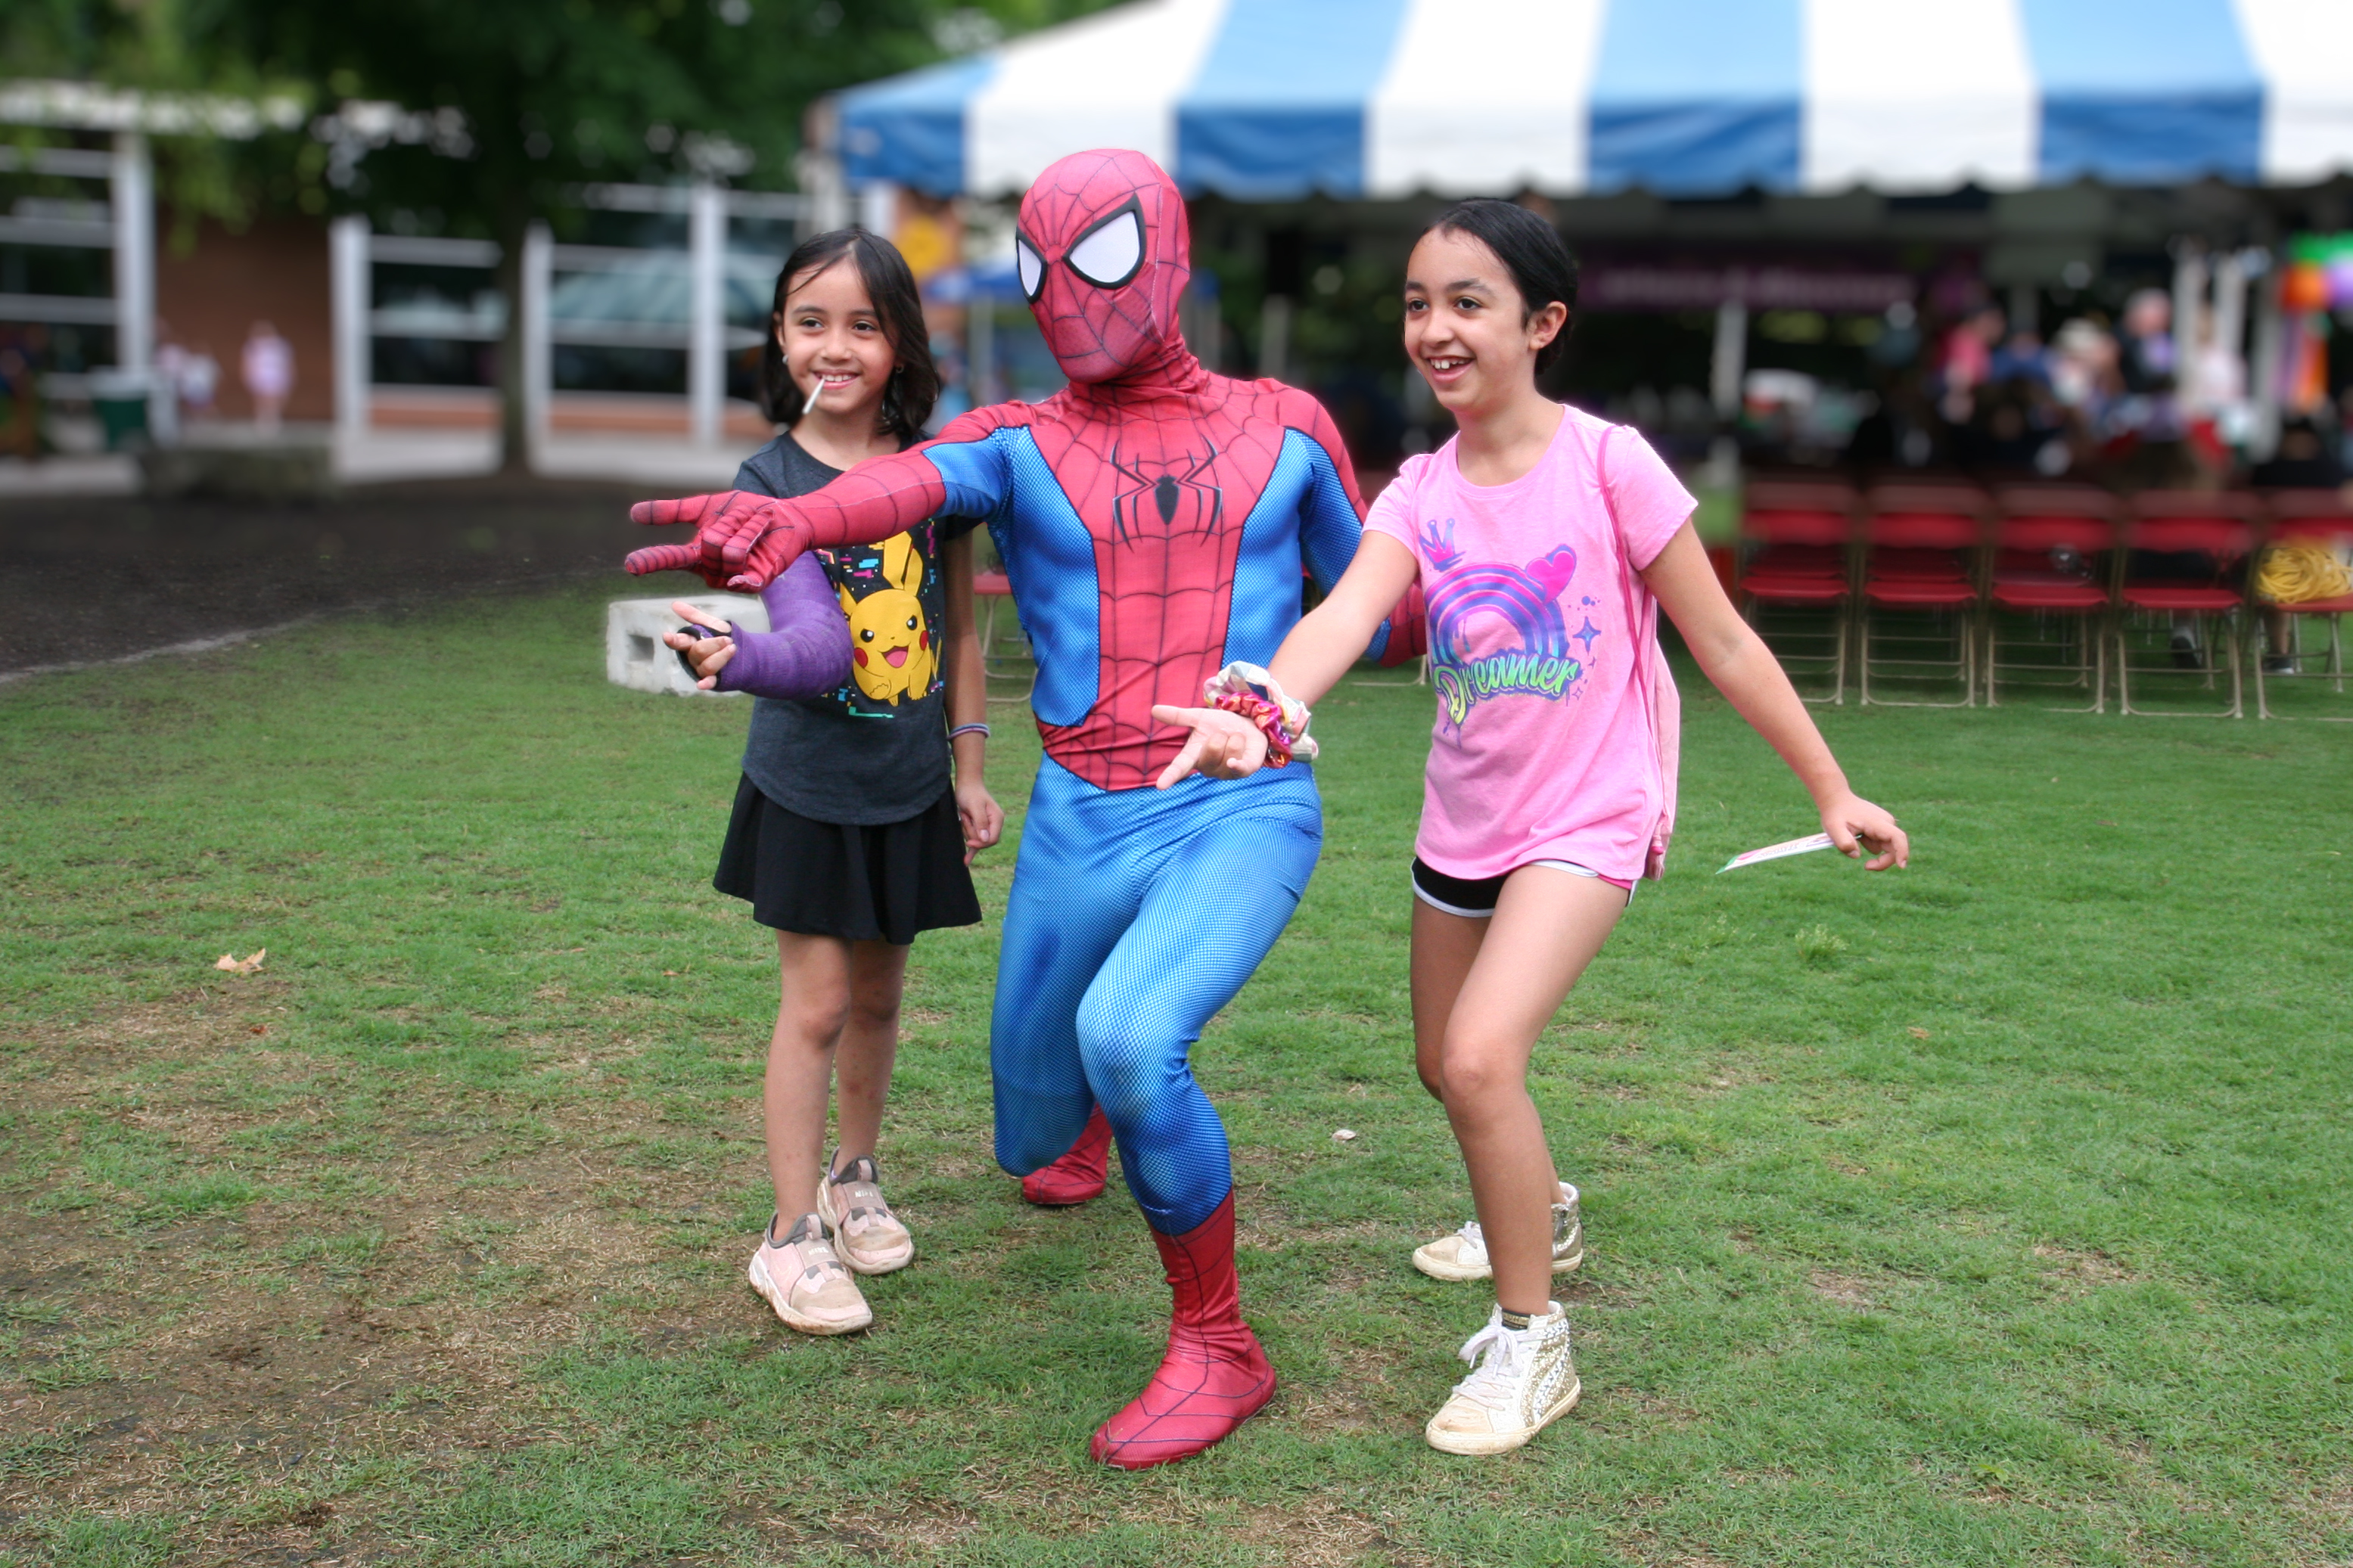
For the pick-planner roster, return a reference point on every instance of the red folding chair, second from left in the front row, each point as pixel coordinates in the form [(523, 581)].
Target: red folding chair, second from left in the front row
[(1921, 554)]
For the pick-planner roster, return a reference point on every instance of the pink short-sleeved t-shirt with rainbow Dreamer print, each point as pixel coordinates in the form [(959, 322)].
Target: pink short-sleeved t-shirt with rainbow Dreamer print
[(1557, 718)]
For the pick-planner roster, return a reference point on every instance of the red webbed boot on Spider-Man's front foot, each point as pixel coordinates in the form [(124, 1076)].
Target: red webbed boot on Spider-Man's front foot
[(1213, 1379)]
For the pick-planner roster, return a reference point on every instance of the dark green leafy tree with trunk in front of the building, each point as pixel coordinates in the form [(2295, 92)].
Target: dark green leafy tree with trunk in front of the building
[(505, 105)]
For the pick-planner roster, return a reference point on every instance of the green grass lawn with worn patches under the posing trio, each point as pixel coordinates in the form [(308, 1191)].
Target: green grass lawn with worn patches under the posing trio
[(1982, 1214)]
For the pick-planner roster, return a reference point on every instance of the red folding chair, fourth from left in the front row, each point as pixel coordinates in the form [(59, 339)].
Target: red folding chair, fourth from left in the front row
[(2215, 528)]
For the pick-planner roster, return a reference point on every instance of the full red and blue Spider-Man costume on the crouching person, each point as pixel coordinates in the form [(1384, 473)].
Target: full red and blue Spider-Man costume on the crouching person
[(1154, 521)]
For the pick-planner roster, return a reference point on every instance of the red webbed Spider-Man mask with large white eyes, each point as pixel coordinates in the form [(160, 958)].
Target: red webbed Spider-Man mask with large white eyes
[(1105, 255)]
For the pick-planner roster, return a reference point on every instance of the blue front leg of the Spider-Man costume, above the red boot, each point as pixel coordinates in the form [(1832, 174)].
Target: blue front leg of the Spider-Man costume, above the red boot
[(1225, 876)]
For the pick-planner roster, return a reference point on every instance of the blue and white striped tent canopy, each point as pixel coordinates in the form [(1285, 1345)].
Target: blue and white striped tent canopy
[(1274, 100)]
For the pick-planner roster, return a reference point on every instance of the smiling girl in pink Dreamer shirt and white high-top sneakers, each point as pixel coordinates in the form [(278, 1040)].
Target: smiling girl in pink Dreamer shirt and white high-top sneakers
[(1545, 544)]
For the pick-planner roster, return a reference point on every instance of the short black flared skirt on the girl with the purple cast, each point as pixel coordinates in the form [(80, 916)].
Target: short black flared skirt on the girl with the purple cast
[(862, 885)]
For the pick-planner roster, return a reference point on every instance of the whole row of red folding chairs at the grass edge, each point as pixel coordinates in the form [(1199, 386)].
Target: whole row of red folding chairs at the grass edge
[(2069, 561)]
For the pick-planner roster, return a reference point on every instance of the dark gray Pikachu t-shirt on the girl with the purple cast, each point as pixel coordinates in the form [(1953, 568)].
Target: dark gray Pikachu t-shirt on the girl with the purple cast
[(876, 751)]
